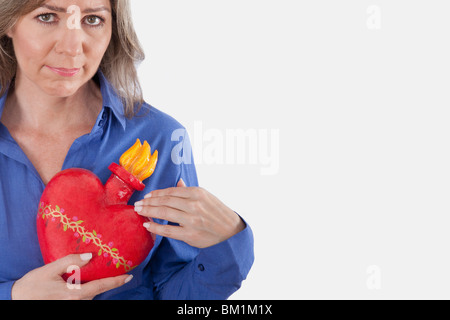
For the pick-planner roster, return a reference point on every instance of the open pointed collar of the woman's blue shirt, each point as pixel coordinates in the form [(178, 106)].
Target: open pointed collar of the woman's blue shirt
[(110, 99)]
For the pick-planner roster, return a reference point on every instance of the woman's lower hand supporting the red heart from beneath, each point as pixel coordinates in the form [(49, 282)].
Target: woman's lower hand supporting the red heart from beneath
[(46, 283)]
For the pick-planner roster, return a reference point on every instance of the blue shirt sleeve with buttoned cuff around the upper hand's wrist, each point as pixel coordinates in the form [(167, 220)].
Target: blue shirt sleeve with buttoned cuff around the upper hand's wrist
[(181, 272)]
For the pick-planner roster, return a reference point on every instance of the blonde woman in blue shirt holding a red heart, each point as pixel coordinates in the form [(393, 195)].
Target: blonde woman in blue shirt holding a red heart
[(70, 97)]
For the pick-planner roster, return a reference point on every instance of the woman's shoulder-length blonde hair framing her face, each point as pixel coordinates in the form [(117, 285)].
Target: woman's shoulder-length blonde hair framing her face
[(119, 62)]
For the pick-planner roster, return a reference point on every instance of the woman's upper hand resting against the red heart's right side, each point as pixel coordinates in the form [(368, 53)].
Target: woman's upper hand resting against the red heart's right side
[(203, 220)]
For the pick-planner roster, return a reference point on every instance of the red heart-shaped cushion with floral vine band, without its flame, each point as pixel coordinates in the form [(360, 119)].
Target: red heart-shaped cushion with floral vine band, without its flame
[(77, 214)]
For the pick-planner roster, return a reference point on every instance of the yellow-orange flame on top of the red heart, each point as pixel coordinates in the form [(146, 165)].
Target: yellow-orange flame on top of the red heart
[(139, 161)]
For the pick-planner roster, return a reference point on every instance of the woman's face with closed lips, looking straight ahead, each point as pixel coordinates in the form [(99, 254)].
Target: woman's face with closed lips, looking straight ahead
[(60, 45)]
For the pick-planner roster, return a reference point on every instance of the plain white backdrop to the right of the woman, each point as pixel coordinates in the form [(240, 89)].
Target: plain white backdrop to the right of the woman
[(363, 120)]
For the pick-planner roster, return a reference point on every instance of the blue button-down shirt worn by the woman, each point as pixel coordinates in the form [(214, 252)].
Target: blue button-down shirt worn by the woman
[(173, 269)]
